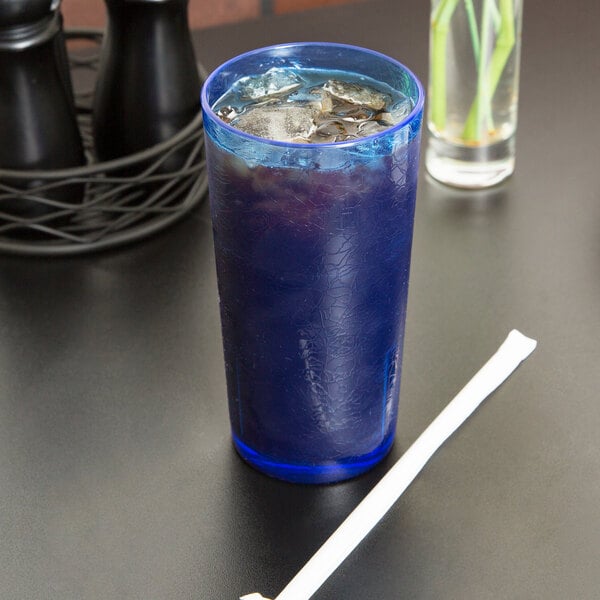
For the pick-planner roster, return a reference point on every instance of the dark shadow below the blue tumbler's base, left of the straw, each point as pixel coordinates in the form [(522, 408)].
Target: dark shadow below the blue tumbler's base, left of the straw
[(274, 527)]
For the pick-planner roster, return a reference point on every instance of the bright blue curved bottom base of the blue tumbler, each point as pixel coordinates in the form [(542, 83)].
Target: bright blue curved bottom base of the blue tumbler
[(310, 473)]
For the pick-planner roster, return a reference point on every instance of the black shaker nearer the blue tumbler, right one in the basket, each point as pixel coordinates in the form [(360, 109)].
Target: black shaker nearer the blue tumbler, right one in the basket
[(148, 86)]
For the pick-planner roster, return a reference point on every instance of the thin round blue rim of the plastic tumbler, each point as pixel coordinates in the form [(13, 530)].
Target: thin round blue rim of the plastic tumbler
[(416, 110)]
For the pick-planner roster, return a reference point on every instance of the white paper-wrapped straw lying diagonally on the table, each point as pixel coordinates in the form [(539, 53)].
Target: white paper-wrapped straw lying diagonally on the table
[(380, 499)]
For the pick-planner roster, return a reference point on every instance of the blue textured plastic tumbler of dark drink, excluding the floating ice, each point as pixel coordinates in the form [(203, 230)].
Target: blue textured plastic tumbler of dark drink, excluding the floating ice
[(312, 244)]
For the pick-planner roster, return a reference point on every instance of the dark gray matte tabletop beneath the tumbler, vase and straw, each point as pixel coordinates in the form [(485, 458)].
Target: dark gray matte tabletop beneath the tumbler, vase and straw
[(117, 477)]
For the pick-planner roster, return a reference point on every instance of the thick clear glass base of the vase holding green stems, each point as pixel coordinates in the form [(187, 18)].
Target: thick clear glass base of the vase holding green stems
[(470, 167)]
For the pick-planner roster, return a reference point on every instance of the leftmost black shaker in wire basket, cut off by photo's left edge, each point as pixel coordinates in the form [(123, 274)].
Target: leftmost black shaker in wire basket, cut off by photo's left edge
[(38, 124)]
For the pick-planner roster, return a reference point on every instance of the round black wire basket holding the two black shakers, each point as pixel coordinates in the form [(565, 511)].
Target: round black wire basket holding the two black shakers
[(117, 207)]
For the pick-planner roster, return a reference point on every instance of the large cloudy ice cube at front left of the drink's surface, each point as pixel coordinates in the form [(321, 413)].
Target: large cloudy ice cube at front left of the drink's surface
[(283, 122)]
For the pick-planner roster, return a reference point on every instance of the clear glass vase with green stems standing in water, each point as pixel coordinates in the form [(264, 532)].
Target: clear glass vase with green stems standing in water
[(473, 90)]
